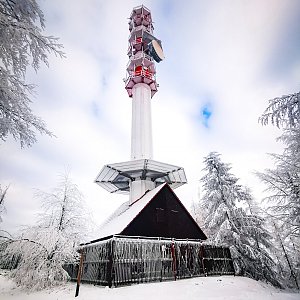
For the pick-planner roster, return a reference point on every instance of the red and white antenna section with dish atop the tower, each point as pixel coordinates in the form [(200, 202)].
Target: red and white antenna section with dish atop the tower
[(143, 49)]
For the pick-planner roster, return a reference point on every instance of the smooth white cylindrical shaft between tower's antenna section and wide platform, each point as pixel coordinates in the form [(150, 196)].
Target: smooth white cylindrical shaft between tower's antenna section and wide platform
[(141, 130)]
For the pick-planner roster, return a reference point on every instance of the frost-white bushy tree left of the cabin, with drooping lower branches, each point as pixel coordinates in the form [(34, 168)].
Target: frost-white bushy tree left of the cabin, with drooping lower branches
[(42, 250)]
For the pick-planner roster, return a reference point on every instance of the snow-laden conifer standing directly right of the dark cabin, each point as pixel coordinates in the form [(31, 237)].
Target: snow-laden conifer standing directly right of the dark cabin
[(227, 223)]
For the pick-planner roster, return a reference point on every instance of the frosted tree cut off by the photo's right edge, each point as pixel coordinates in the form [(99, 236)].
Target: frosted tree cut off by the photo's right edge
[(283, 182)]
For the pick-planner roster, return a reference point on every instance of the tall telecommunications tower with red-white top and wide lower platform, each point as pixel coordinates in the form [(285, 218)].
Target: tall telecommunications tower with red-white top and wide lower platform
[(142, 173)]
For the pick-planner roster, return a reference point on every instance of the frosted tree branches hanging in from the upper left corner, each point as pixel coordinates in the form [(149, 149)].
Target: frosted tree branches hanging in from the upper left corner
[(22, 45)]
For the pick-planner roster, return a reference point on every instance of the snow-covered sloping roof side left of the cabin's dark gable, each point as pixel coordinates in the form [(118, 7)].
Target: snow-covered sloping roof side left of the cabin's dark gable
[(122, 217)]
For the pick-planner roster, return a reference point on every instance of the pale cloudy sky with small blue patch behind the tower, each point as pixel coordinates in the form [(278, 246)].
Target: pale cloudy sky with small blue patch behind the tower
[(223, 61)]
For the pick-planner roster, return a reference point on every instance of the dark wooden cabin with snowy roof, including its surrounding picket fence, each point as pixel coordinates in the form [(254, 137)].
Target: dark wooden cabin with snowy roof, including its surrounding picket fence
[(153, 239)]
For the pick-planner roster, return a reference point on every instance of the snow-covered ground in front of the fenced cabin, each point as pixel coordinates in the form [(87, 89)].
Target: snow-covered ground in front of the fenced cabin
[(208, 288)]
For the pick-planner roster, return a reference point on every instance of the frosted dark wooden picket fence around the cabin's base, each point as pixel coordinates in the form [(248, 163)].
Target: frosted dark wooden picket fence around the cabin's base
[(126, 260)]
